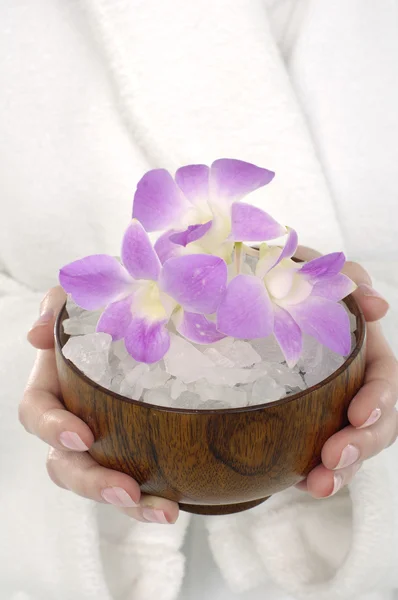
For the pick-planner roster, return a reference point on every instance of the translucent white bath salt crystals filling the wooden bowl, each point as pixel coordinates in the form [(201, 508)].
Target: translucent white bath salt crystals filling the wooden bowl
[(227, 374)]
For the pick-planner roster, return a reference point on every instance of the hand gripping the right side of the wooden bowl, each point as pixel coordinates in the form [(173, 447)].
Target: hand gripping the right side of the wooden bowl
[(372, 414)]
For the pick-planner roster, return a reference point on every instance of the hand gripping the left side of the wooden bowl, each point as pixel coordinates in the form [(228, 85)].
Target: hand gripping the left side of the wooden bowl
[(69, 464)]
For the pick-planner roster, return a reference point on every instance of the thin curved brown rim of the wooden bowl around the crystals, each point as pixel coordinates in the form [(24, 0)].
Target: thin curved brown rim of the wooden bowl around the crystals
[(360, 335)]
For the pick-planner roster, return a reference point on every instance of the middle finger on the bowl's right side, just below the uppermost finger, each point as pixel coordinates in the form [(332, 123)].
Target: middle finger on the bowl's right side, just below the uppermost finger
[(351, 445)]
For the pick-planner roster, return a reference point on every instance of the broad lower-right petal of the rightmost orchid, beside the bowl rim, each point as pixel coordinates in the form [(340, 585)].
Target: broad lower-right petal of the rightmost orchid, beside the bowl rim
[(326, 321)]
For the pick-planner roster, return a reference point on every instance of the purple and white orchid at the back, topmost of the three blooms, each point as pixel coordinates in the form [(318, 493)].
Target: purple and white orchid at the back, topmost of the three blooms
[(202, 207)]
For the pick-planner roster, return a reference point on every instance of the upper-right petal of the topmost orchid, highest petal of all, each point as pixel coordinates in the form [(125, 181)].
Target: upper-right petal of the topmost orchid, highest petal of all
[(231, 179)]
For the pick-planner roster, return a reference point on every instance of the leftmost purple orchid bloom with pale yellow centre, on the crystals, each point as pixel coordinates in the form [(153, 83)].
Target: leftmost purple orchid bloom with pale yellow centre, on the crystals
[(140, 295)]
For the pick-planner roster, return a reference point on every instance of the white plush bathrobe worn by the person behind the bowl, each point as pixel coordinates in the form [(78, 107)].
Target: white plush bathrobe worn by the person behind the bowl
[(92, 94)]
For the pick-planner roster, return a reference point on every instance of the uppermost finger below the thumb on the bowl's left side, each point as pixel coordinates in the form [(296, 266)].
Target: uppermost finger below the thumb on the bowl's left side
[(42, 413)]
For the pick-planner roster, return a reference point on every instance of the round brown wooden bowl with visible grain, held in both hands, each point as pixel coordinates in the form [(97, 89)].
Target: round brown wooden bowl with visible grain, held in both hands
[(213, 461)]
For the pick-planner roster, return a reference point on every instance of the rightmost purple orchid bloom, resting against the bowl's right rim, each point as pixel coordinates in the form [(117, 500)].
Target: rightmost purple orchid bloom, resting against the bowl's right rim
[(287, 299)]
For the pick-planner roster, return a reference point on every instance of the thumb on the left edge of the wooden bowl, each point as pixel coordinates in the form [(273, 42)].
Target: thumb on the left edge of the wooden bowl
[(41, 335)]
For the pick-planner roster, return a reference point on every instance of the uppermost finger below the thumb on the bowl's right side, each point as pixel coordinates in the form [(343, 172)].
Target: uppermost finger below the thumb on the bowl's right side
[(380, 390)]
